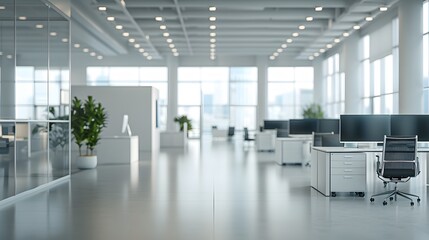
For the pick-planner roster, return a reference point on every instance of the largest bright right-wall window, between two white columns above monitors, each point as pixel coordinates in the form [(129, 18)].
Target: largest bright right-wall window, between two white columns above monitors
[(380, 72)]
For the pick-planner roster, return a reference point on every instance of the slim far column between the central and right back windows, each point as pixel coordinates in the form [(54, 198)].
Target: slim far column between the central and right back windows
[(261, 110)]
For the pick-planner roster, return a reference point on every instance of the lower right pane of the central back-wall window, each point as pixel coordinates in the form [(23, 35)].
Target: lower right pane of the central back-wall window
[(242, 117)]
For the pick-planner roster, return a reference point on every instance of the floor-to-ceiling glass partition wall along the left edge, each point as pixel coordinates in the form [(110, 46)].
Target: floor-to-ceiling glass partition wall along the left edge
[(34, 96)]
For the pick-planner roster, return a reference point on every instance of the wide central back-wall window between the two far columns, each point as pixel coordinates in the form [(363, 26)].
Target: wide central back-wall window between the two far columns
[(222, 96)]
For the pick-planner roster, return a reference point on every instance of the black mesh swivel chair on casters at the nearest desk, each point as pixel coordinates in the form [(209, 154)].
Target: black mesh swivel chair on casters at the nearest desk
[(399, 164)]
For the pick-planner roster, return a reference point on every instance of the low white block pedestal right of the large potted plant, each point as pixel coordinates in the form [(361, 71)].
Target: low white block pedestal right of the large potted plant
[(118, 149)]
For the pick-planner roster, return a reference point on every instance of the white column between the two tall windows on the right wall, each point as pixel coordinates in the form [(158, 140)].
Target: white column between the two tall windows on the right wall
[(353, 81)]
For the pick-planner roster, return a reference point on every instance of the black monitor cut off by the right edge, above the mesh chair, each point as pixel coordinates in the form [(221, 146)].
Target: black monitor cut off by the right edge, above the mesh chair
[(410, 125)]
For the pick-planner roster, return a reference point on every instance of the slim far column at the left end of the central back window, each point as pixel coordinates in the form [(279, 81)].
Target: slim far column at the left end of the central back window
[(172, 64)]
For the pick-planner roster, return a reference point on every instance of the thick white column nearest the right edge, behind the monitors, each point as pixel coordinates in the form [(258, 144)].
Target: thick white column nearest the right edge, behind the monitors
[(410, 56)]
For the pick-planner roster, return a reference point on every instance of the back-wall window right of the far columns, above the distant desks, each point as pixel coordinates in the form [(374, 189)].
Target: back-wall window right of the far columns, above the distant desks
[(289, 90)]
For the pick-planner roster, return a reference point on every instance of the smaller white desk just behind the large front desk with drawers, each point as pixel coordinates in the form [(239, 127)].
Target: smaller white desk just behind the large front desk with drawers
[(292, 150)]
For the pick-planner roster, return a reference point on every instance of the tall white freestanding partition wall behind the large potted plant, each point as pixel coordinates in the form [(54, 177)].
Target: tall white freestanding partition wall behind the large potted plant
[(138, 102)]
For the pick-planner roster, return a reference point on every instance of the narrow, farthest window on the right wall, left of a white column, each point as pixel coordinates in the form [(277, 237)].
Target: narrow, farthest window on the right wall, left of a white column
[(334, 87)]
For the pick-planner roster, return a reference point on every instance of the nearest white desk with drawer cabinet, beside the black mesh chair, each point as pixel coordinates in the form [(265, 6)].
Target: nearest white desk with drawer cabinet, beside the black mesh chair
[(338, 169)]
